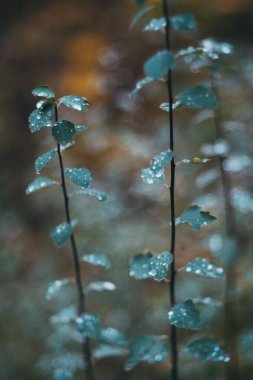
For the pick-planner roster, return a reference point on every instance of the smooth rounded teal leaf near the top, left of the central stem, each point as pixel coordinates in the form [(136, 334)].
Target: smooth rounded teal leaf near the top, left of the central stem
[(159, 64)]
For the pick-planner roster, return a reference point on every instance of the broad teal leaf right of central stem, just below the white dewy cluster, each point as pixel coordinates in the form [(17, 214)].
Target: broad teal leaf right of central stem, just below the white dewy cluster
[(198, 97)]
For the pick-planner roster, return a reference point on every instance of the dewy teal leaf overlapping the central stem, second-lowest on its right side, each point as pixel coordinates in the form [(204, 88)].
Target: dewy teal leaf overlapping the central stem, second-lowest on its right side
[(185, 315)]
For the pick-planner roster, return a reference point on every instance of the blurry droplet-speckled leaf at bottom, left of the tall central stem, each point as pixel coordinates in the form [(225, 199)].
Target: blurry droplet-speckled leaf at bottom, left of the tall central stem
[(149, 349)]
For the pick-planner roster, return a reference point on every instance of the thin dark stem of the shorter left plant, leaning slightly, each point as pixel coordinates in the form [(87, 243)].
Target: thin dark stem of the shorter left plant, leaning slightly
[(89, 375)]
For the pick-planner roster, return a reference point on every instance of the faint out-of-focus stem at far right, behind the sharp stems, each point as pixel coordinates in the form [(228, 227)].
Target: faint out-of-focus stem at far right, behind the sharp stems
[(230, 315)]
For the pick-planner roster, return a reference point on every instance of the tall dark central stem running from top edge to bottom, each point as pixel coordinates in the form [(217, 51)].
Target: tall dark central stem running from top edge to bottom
[(173, 336)]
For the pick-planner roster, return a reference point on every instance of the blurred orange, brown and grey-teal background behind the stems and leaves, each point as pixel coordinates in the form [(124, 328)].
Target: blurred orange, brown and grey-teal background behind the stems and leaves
[(86, 48)]
